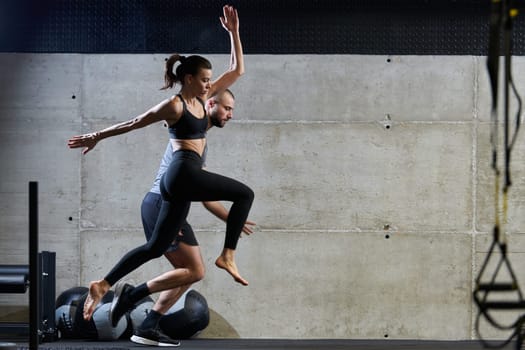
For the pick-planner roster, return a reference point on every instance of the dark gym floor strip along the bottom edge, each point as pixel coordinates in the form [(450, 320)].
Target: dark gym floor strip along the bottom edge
[(270, 344)]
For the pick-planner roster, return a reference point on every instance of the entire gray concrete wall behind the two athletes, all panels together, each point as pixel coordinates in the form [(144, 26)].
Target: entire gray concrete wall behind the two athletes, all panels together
[(374, 193)]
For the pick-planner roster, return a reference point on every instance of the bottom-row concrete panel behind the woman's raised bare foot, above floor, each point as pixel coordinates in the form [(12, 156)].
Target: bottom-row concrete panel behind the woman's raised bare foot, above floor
[(340, 293)]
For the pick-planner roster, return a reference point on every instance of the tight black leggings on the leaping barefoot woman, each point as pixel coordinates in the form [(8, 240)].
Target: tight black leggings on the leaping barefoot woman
[(184, 182)]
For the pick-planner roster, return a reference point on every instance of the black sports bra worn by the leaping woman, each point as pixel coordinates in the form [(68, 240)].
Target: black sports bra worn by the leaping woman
[(189, 127)]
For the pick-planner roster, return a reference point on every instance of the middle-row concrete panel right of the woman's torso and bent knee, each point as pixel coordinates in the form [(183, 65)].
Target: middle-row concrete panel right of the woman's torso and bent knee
[(351, 176)]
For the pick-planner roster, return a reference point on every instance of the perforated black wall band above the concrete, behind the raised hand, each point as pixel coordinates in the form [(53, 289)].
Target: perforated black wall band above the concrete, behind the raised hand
[(390, 27)]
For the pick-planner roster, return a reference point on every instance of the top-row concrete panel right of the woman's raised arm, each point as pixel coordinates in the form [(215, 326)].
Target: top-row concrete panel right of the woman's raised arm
[(357, 88)]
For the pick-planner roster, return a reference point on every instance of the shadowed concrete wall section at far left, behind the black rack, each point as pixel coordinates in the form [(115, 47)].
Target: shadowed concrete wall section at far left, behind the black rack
[(39, 110)]
